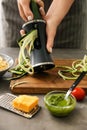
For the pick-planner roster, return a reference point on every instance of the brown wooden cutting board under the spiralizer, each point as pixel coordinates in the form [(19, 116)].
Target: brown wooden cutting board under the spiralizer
[(46, 81)]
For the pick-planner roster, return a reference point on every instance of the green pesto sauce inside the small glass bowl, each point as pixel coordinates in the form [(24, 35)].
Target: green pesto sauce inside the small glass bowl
[(59, 100)]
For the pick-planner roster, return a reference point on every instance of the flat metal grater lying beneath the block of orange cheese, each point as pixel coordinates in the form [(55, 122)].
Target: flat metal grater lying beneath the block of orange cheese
[(5, 102)]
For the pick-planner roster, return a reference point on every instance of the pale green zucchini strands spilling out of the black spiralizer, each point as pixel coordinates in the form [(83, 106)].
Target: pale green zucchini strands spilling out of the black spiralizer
[(26, 44)]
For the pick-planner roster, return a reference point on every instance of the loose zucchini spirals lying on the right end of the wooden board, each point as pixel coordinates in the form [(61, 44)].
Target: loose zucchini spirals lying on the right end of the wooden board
[(67, 72)]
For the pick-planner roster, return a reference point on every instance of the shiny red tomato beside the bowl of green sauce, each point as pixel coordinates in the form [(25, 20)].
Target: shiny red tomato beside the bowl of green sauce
[(79, 93)]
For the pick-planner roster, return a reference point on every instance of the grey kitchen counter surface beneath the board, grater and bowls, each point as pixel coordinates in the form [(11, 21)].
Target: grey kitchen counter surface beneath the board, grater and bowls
[(43, 120)]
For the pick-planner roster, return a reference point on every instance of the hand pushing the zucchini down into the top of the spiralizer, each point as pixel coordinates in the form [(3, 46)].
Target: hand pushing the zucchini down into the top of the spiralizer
[(25, 11)]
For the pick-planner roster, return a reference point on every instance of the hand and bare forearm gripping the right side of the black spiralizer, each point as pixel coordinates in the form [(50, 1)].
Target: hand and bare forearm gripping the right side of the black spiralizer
[(55, 14)]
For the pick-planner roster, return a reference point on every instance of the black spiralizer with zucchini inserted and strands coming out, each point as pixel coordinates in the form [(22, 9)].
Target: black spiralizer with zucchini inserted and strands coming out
[(35, 41)]
